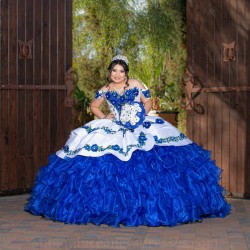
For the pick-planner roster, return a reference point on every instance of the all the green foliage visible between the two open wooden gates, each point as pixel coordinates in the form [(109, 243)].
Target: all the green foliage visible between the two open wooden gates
[(149, 32)]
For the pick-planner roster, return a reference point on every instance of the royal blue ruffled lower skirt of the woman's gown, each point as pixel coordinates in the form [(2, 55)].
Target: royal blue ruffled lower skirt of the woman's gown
[(163, 186)]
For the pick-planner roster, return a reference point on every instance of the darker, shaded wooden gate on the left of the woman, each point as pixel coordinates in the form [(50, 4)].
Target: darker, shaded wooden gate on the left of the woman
[(36, 51)]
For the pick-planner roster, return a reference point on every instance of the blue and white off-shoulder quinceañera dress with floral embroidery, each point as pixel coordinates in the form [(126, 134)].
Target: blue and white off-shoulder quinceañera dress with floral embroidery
[(132, 170)]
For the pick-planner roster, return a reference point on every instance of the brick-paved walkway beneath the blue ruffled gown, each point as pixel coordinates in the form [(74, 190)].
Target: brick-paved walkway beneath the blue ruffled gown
[(21, 230)]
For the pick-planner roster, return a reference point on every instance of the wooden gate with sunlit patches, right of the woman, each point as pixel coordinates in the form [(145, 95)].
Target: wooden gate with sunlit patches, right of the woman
[(218, 62)]
